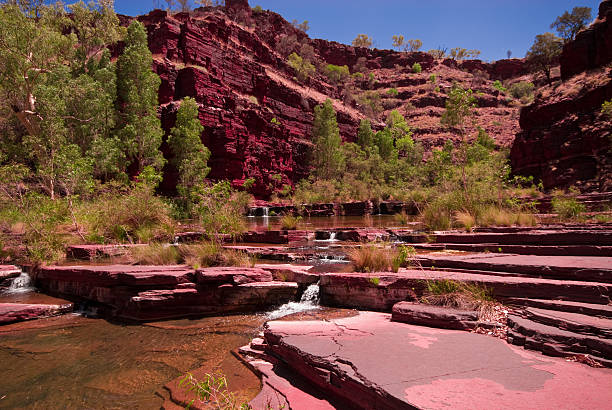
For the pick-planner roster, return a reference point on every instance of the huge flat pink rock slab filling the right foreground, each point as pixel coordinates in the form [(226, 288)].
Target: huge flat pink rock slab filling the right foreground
[(378, 364)]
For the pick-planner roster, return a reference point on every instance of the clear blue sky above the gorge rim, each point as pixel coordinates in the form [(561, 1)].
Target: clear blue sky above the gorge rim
[(492, 26)]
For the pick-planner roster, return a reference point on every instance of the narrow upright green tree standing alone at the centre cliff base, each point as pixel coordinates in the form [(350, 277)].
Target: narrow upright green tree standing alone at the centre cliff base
[(328, 160)]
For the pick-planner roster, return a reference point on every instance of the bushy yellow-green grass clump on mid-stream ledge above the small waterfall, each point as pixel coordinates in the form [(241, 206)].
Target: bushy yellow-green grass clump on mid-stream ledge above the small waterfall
[(384, 258)]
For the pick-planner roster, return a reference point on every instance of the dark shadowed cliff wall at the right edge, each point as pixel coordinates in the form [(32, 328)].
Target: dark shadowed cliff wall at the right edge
[(565, 138)]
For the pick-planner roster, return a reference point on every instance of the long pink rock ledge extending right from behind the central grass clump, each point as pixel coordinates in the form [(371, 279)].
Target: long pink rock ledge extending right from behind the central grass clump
[(591, 268)]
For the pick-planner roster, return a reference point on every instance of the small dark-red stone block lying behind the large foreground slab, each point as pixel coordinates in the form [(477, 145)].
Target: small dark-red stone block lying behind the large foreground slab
[(434, 316)]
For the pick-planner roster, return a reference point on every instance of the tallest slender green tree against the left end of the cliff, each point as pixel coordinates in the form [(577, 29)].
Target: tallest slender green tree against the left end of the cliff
[(137, 87)]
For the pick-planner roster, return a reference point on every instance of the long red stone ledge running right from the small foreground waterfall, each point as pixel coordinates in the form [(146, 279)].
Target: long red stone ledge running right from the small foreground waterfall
[(360, 291)]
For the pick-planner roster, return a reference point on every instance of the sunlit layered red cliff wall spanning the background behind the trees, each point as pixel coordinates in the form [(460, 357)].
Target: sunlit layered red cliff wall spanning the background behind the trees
[(258, 117)]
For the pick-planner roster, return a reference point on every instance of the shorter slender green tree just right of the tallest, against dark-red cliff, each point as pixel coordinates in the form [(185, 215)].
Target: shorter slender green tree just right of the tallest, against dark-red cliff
[(190, 154)]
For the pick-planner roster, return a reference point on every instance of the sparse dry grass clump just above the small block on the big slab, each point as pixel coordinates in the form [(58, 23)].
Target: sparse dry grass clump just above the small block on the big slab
[(461, 295)]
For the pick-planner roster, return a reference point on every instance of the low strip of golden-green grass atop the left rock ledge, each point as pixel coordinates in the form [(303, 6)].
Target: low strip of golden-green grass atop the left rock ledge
[(203, 255)]
